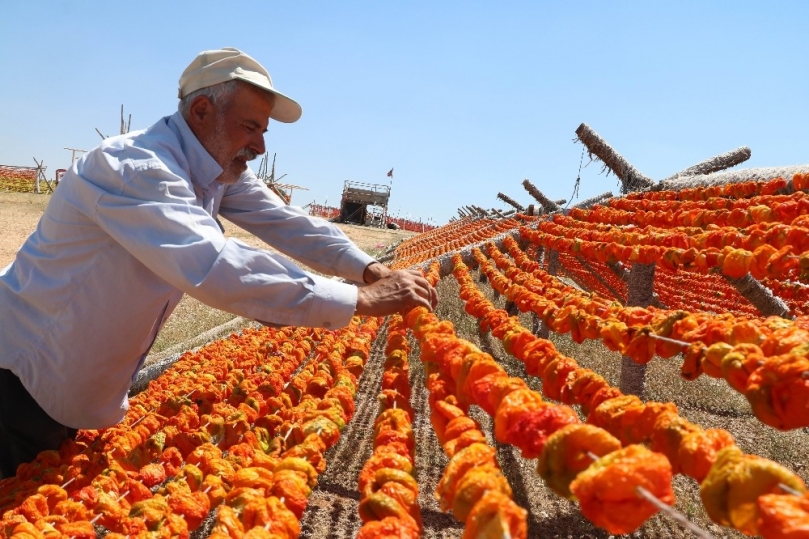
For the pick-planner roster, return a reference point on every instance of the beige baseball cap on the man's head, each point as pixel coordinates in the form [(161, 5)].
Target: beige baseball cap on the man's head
[(222, 65)]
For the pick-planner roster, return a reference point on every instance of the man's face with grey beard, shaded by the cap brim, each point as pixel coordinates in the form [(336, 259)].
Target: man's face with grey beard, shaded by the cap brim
[(236, 134)]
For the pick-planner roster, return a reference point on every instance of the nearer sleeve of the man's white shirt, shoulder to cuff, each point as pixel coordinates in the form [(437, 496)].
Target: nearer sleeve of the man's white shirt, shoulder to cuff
[(154, 214)]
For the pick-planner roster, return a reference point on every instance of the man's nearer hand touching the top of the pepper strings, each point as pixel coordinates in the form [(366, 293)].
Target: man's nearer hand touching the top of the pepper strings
[(396, 291)]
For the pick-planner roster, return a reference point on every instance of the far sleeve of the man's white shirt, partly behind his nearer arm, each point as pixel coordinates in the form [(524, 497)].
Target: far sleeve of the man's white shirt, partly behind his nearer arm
[(310, 240)]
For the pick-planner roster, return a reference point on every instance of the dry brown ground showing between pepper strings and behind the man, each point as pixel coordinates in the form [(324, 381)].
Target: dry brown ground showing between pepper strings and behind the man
[(333, 506)]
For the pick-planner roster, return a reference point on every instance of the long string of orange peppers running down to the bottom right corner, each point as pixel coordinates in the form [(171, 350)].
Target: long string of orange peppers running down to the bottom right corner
[(739, 490)]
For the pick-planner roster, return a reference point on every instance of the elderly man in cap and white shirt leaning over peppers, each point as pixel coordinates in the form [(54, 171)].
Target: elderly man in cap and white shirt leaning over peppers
[(132, 227)]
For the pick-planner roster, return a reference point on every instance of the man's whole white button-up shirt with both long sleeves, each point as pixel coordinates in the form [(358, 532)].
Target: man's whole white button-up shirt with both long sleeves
[(130, 229)]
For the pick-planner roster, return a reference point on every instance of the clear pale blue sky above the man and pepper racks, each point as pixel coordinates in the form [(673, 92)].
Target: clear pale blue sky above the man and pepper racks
[(462, 99)]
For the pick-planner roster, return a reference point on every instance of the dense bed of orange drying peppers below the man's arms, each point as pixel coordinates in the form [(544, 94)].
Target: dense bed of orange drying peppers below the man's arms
[(274, 442)]
